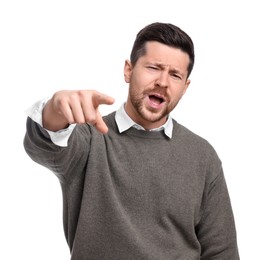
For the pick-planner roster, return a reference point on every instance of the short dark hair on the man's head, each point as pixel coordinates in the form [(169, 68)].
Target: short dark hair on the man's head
[(165, 33)]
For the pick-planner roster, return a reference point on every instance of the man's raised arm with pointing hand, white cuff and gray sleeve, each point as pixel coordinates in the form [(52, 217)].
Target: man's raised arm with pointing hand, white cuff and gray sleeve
[(56, 117)]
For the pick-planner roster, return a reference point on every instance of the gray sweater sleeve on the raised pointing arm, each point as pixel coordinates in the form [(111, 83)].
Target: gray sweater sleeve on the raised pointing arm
[(64, 162)]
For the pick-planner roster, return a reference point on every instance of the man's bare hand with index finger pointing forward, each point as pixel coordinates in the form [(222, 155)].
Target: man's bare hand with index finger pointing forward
[(75, 107)]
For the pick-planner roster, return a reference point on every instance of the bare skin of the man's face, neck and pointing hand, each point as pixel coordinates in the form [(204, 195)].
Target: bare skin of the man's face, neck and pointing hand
[(156, 84)]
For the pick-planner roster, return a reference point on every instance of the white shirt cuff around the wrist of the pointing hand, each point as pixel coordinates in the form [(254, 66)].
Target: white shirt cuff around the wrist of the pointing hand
[(60, 137)]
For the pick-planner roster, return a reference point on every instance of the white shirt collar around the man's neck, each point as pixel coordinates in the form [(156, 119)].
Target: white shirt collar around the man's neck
[(124, 122)]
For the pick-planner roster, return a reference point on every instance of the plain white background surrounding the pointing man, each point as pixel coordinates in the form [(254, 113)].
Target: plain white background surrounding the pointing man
[(50, 45)]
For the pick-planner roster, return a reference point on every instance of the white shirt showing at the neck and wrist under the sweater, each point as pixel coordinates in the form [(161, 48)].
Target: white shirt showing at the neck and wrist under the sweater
[(61, 137)]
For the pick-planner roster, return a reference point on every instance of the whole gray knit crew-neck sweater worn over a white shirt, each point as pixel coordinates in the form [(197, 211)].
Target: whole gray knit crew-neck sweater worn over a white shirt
[(139, 195)]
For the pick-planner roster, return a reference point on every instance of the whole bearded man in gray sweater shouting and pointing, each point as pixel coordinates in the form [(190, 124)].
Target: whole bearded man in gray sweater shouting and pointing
[(136, 184)]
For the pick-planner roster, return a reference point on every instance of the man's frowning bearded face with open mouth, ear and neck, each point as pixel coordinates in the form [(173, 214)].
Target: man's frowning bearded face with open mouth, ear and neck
[(156, 84)]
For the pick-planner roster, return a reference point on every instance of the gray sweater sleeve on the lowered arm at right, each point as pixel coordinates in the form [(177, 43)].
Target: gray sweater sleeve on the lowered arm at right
[(216, 230)]
